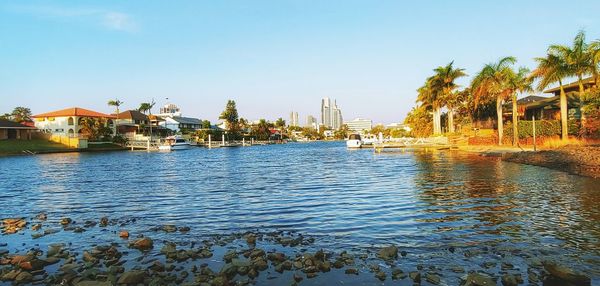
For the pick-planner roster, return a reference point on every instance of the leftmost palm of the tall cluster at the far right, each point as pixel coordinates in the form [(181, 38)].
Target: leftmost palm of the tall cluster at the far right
[(550, 70)]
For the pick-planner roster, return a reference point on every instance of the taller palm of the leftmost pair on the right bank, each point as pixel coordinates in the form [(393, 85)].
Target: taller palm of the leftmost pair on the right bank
[(447, 75)]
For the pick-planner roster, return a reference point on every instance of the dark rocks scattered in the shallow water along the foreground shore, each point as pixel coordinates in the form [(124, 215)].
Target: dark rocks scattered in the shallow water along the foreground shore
[(249, 258)]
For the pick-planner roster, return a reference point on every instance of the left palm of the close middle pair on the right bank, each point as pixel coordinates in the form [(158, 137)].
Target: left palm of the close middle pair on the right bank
[(492, 83)]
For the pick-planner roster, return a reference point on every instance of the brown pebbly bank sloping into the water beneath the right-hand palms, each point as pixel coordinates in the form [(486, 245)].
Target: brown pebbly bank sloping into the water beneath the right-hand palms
[(578, 160)]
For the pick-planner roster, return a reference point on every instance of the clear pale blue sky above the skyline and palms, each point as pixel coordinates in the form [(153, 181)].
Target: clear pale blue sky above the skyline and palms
[(271, 57)]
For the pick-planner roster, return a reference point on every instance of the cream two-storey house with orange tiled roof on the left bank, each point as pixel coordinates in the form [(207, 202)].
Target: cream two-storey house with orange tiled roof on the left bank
[(68, 122)]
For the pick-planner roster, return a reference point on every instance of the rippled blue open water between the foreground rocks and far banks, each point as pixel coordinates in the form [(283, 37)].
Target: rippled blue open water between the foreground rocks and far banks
[(424, 202)]
